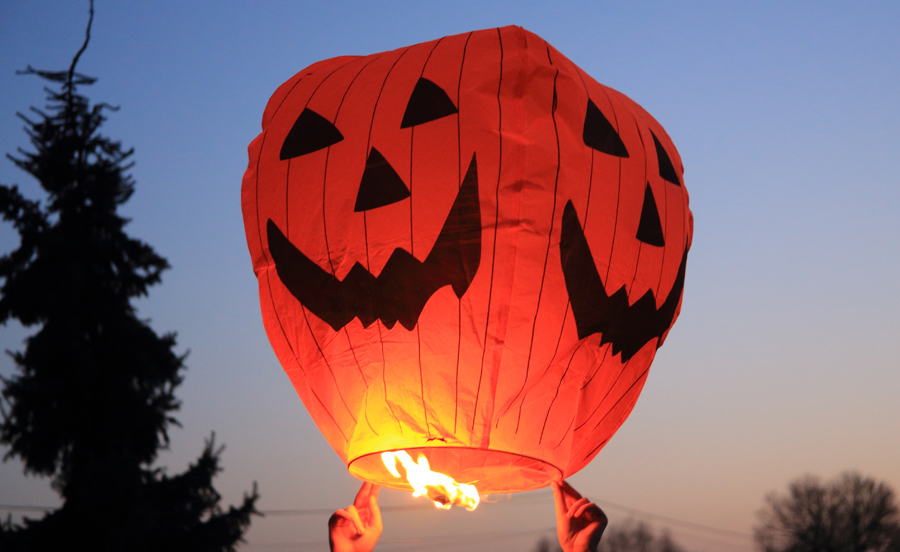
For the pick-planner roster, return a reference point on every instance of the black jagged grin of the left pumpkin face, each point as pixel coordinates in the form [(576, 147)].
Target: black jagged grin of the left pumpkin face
[(399, 293)]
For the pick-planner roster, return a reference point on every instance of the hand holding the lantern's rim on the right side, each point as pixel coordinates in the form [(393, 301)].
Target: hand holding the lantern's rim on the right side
[(579, 523)]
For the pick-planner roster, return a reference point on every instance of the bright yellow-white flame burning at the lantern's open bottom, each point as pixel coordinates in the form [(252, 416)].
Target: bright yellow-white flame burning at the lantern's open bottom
[(441, 489)]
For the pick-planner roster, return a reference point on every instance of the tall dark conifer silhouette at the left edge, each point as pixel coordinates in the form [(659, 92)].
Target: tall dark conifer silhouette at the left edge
[(94, 391)]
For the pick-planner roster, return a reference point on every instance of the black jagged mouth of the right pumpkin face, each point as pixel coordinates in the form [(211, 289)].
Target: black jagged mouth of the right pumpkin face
[(627, 327)]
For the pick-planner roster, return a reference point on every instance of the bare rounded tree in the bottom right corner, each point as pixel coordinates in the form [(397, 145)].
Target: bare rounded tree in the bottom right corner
[(851, 513)]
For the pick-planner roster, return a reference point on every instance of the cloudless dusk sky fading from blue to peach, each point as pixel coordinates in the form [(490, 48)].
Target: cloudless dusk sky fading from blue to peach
[(785, 358)]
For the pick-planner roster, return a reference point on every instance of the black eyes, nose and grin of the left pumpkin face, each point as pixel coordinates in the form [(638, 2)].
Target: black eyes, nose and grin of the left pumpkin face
[(404, 284)]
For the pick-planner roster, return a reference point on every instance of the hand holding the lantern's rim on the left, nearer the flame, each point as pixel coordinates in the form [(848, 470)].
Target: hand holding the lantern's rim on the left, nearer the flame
[(357, 527)]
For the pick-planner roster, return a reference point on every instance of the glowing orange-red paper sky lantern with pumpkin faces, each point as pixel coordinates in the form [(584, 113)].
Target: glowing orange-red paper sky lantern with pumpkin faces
[(468, 252)]
